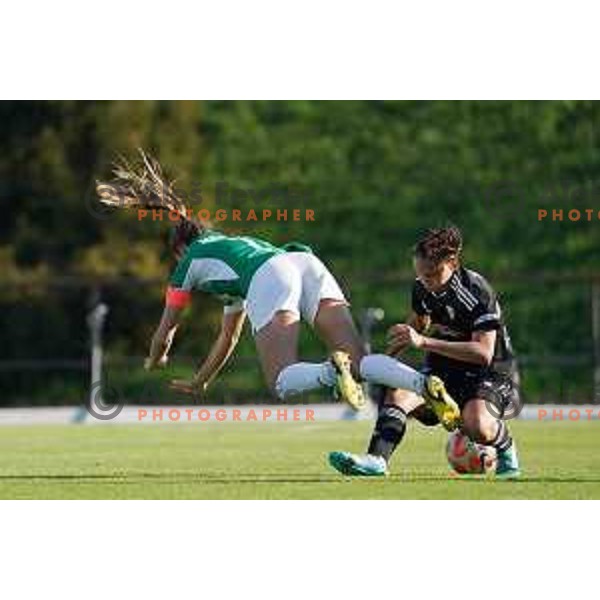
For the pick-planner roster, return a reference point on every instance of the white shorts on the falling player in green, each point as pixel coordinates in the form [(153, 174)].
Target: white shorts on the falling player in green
[(295, 282)]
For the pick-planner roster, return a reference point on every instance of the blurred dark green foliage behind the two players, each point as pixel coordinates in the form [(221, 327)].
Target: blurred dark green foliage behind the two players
[(375, 173)]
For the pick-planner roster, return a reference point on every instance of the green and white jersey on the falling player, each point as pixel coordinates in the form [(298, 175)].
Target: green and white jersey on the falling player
[(222, 265)]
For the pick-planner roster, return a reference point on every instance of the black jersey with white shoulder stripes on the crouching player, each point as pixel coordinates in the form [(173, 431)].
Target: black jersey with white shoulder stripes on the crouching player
[(465, 305)]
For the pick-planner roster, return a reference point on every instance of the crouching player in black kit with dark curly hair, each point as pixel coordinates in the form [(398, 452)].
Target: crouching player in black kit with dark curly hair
[(457, 322)]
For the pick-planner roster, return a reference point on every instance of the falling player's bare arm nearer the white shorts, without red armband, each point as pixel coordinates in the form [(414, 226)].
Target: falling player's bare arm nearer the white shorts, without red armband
[(222, 349)]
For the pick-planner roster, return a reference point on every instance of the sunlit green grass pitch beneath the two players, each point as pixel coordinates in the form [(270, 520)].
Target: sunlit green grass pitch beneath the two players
[(241, 460)]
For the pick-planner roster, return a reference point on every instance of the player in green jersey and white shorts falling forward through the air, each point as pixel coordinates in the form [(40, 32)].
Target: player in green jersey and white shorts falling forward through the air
[(276, 288)]
